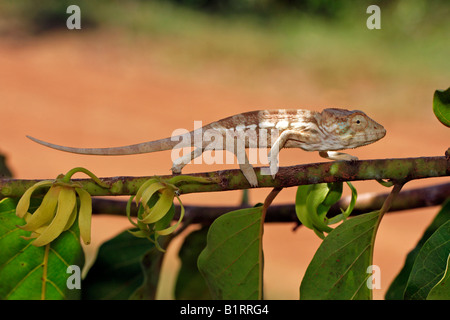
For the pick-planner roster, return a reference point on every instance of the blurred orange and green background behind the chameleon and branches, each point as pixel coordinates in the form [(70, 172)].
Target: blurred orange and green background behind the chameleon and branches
[(137, 70)]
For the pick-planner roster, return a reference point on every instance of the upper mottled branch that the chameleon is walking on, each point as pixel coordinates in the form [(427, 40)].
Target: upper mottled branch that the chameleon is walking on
[(391, 169)]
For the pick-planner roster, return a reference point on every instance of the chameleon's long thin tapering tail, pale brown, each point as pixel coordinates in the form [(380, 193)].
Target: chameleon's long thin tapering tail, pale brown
[(145, 147)]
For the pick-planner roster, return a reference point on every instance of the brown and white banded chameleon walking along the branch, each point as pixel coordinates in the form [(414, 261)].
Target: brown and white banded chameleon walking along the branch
[(326, 132)]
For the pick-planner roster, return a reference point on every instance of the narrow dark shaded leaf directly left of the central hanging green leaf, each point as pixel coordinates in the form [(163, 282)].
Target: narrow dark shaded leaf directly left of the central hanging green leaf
[(190, 284)]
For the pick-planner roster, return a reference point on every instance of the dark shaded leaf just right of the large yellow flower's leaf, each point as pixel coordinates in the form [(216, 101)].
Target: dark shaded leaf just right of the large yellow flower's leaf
[(117, 271)]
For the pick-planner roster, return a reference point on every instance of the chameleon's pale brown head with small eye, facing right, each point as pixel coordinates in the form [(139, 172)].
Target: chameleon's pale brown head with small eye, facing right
[(350, 129)]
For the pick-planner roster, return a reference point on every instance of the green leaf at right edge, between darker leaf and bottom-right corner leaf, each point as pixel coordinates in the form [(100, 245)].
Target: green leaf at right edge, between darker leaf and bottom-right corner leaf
[(429, 265)]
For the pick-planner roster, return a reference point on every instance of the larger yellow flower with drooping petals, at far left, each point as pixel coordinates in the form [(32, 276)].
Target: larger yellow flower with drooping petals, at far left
[(58, 209)]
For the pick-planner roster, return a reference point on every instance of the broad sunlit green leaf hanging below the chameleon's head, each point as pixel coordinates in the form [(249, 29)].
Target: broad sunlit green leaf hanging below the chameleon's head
[(338, 269)]
